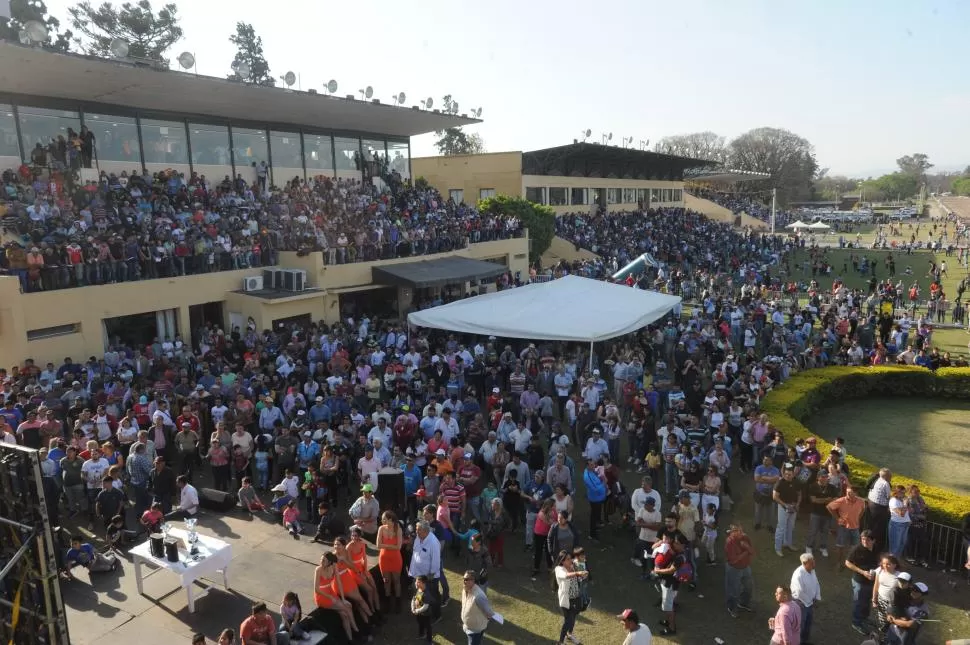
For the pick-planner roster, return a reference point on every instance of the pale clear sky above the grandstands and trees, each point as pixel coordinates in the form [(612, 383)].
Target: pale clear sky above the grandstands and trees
[(865, 81)]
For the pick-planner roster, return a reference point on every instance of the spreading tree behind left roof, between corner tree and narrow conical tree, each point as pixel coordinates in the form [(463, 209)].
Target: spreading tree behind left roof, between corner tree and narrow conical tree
[(148, 34)]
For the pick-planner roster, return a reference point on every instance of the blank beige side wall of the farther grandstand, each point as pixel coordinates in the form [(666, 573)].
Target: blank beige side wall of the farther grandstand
[(501, 171)]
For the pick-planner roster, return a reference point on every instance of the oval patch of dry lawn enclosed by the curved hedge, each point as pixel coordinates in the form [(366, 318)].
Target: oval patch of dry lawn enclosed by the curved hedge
[(918, 438)]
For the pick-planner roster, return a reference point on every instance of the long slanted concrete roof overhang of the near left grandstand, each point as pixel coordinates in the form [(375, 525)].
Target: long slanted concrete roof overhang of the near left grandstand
[(36, 72)]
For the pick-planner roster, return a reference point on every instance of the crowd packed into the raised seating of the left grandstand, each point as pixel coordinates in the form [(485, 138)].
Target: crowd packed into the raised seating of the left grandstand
[(141, 225)]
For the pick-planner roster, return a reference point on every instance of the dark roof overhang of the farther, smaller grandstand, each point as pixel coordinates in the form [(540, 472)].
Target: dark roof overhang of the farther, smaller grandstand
[(595, 160)]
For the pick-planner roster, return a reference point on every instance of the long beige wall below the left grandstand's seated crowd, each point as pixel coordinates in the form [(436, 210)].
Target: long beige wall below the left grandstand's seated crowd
[(87, 307)]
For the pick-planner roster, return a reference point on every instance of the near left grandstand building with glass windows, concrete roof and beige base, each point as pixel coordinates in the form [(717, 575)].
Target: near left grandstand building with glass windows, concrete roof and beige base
[(145, 118)]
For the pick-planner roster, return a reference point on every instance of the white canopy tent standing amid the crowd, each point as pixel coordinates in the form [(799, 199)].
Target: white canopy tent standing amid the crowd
[(570, 308)]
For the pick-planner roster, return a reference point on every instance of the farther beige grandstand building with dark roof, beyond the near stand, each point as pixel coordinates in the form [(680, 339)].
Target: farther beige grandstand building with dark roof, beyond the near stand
[(570, 178)]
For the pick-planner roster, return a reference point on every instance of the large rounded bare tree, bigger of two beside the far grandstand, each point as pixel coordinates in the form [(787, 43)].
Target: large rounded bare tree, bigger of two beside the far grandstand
[(787, 157)]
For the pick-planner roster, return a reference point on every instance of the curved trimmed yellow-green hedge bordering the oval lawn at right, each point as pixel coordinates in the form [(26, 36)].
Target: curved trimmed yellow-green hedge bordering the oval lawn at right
[(795, 401)]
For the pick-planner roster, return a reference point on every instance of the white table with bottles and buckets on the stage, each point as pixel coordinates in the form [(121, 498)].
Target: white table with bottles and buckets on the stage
[(213, 557)]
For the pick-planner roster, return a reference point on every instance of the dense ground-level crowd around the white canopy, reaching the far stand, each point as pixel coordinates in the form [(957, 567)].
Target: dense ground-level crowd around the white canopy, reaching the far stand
[(499, 443)]
